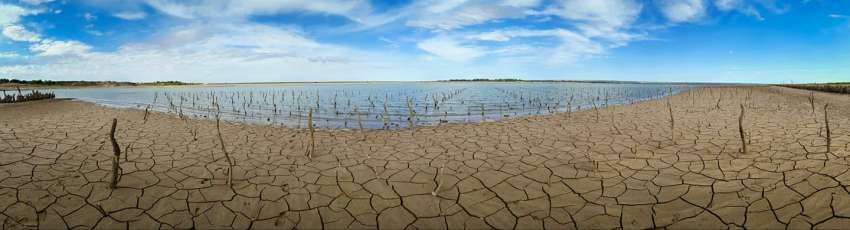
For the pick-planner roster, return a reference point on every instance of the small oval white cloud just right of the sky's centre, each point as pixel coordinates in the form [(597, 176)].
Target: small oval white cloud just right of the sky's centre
[(450, 49)]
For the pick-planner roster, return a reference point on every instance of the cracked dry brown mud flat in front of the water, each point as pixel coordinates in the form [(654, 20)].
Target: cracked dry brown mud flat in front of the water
[(557, 171)]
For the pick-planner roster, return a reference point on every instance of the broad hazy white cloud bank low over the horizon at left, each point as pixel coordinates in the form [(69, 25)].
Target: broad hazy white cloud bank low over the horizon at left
[(212, 53)]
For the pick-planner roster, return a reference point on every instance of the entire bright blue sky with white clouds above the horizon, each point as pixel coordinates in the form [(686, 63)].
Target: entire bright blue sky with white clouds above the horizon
[(768, 41)]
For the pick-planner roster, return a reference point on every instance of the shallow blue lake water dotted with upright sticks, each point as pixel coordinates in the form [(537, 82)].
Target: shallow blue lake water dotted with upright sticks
[(379, 105)]
